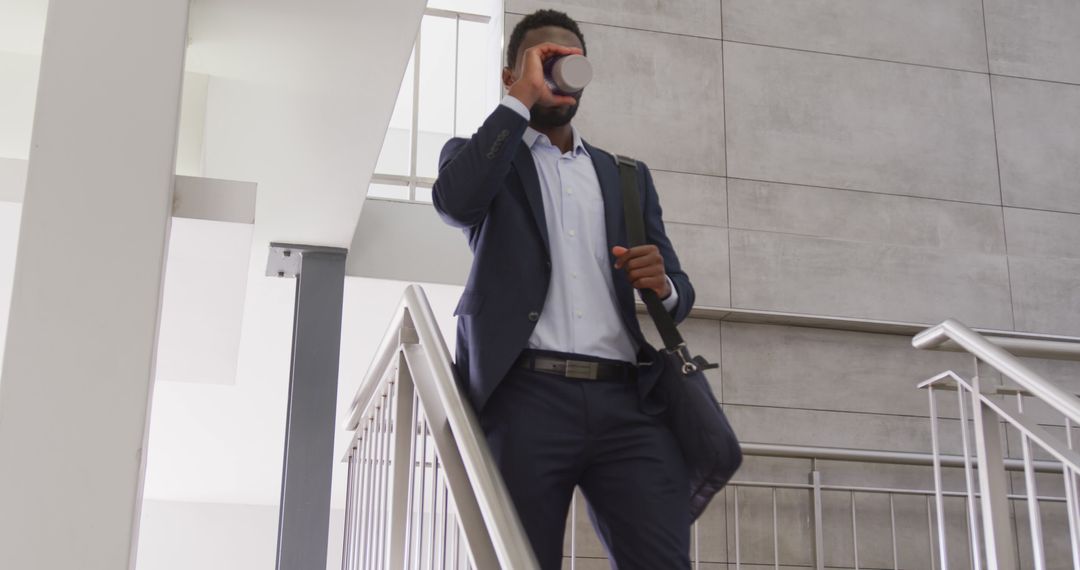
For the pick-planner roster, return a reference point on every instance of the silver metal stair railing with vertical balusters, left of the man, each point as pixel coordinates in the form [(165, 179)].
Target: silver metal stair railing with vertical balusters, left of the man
[(423, 488)]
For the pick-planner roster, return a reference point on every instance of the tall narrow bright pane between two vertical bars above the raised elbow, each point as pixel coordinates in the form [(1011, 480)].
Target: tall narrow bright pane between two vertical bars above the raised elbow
[(436, 121)]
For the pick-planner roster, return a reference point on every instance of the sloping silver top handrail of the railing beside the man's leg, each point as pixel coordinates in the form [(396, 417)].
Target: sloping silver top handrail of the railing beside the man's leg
[(415, 333)]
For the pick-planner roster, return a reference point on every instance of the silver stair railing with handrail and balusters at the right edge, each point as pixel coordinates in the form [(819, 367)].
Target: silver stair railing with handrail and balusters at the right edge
[(994, 410)]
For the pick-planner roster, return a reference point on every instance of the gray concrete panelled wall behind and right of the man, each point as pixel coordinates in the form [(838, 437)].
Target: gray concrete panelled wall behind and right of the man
[(901, 160)]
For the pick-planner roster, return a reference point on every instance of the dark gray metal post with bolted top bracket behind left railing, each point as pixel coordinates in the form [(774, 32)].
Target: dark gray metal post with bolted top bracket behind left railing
[(304, 523)]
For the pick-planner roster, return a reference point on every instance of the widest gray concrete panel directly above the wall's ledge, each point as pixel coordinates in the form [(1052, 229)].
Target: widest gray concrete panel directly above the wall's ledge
[(827, 277)]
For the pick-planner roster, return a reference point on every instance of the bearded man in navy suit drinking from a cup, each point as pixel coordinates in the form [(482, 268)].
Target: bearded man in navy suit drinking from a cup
[(549, 347)]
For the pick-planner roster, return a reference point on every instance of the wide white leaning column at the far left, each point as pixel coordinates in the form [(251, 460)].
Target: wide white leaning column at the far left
[(80, 351)]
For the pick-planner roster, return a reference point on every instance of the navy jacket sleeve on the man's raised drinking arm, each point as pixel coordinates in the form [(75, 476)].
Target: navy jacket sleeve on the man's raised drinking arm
[(471, 172)]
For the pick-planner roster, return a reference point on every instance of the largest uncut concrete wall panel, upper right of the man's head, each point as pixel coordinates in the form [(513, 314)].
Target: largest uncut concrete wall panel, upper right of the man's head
[(844, 123)]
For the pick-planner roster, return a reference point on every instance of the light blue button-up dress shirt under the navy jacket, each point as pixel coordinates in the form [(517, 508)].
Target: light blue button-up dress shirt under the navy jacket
[(582, 314)]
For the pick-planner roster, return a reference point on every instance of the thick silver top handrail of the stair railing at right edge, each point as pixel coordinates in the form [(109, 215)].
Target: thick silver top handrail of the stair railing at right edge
[(1001, 360)]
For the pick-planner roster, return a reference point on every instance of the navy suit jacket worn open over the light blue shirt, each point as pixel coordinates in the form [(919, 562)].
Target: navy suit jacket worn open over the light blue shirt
[(489, 187)]
